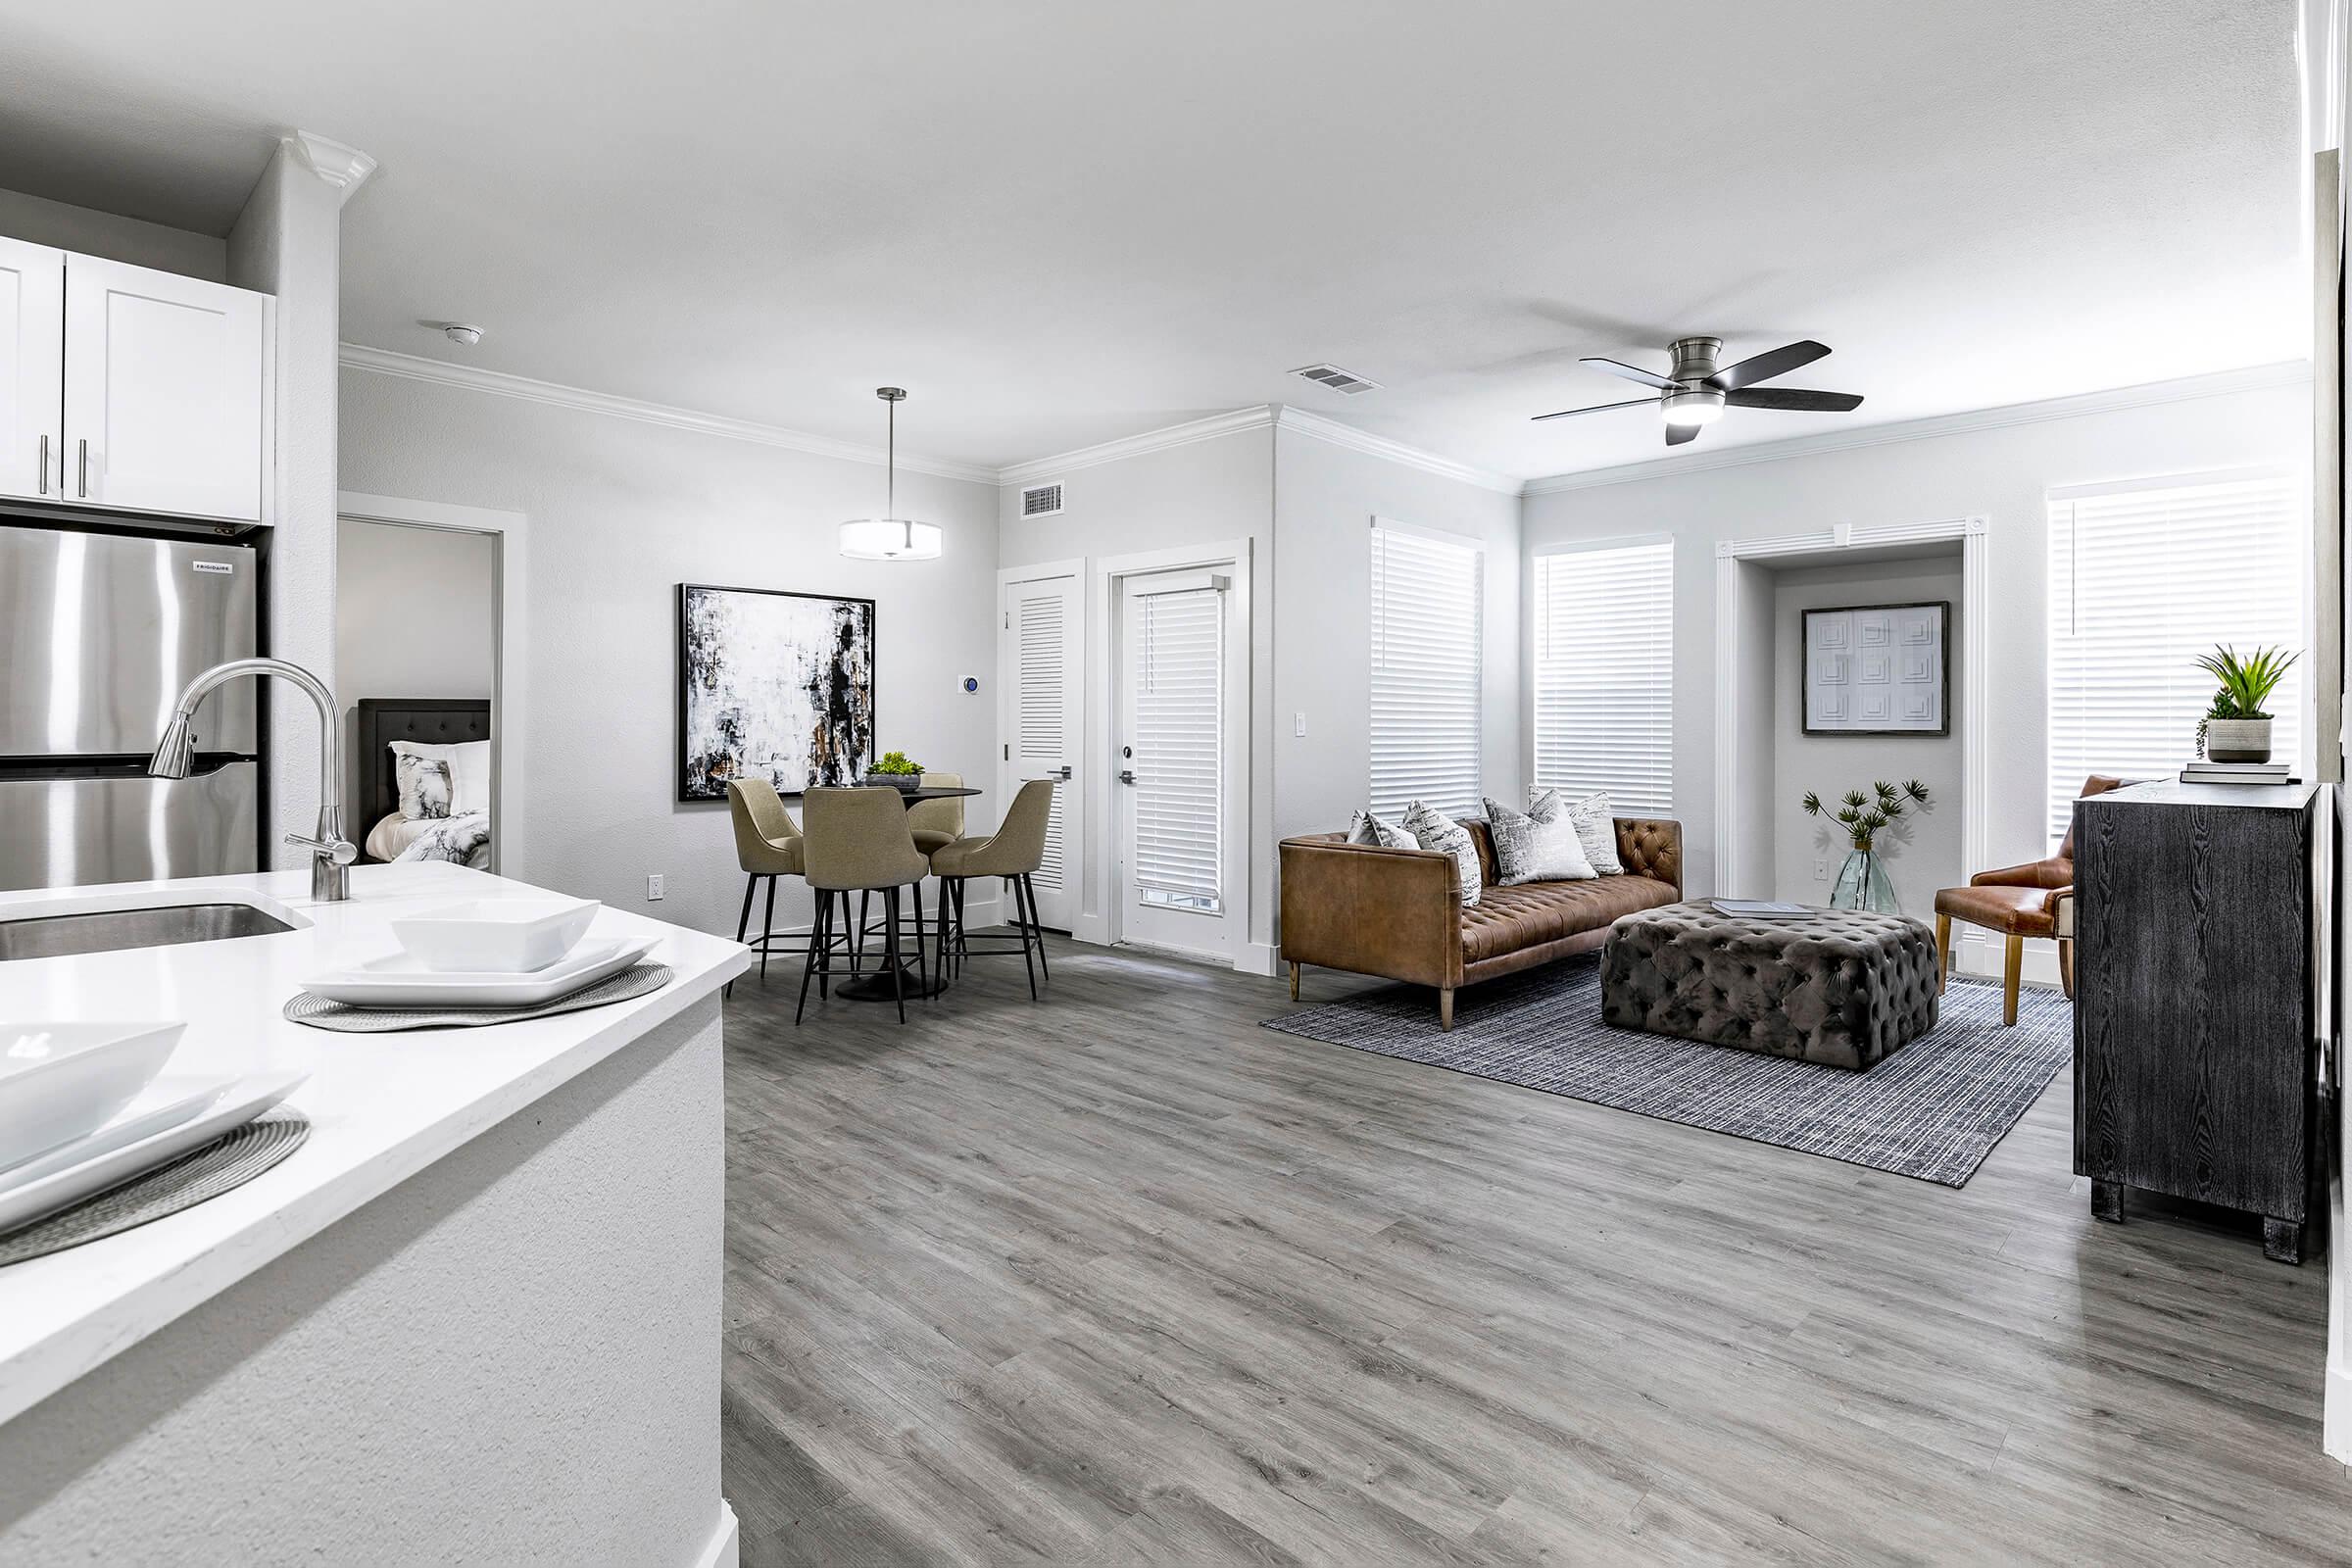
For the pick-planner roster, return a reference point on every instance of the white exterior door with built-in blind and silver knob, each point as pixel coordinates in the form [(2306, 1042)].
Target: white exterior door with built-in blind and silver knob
[(1175, 786)]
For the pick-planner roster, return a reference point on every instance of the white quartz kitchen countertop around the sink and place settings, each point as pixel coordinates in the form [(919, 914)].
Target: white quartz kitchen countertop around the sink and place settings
[(380, 1106)]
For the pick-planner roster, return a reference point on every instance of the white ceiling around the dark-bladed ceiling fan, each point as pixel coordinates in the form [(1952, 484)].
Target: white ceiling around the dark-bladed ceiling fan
[(1069, 222)]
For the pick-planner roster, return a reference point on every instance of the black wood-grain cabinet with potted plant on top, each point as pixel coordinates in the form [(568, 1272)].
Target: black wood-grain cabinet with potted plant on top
[(2196, 1003)]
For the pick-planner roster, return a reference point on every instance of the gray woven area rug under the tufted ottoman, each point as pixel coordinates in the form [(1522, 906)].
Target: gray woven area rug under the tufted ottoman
[(1930, 1111)]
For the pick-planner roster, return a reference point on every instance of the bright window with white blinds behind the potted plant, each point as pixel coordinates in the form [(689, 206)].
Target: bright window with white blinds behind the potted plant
[(2144, 579)]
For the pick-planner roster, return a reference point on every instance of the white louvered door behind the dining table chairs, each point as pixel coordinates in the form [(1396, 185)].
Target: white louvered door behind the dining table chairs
[(1043, 688)]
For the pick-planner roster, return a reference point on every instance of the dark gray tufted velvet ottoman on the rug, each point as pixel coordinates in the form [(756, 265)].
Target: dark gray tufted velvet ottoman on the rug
[(1843, 989)]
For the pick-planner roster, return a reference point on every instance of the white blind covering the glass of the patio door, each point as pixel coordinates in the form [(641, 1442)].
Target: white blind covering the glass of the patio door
[(1180, 751)]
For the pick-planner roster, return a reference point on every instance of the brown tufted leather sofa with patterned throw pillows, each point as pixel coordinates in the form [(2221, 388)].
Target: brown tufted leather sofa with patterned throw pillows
[(1398, 913)]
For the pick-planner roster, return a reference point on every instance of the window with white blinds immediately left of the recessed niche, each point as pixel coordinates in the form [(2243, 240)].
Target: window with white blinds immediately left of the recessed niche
[(1605, 674)]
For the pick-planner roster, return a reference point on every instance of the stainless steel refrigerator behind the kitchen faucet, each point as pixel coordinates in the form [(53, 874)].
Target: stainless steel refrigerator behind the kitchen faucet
[(102, 634)]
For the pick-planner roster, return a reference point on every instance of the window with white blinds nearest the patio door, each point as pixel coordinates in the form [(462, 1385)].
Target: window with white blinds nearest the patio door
[(1424, 674)]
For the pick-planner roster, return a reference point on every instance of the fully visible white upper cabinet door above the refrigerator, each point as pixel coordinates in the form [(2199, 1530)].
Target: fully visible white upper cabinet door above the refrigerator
[(166, 391)]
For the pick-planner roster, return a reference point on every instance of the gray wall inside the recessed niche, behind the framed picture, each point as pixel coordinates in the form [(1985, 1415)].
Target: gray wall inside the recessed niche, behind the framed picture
[(1925, 850)]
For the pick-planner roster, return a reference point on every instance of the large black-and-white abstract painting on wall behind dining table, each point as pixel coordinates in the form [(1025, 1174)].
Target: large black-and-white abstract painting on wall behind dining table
[(773, 685)]
